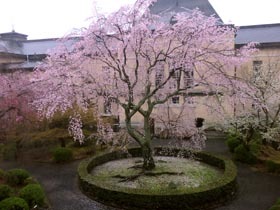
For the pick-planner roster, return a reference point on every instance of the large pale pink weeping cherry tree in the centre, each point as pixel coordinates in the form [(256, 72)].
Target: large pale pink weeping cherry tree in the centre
[(130, 45)]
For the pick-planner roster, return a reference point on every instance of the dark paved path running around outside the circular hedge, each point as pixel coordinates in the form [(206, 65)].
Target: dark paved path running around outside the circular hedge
[(257, 191)]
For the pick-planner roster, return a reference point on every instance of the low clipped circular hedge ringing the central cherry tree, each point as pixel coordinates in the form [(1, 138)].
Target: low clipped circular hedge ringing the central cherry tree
[(219, 192)]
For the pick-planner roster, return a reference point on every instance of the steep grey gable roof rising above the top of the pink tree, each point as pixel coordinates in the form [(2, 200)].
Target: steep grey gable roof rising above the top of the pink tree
[(174, 6)]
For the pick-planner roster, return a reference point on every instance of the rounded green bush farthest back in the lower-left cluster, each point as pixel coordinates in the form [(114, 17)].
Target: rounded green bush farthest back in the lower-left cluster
[(16, 176)]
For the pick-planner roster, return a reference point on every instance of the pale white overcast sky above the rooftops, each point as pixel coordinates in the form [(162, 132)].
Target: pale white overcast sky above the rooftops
[(55, 18)]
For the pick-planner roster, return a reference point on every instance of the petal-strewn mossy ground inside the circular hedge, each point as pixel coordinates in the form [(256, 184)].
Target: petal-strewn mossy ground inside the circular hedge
[(170, 174)]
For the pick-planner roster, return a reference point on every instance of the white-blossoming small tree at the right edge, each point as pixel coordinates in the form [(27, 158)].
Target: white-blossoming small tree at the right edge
[(258, 113)]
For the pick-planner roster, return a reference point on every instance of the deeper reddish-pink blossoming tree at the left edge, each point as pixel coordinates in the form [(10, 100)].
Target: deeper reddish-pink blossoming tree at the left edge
[(15, 98)]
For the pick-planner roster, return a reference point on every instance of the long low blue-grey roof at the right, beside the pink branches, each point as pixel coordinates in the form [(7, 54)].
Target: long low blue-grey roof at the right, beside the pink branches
[(263, 34)]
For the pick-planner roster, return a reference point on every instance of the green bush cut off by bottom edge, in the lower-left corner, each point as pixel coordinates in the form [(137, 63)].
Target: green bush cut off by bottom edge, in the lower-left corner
[(13, 203)]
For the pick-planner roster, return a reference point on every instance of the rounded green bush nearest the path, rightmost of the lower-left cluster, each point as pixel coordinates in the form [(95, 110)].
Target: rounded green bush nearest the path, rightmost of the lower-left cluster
[(33, 194)]
